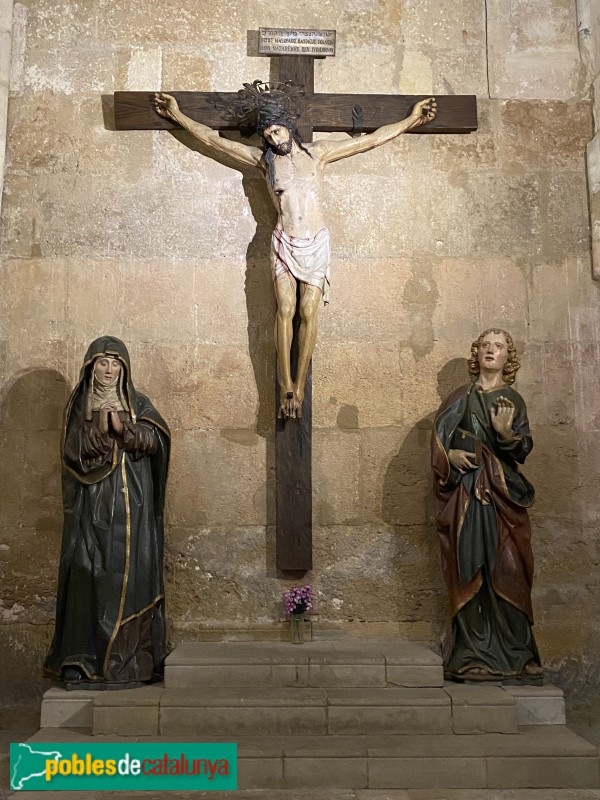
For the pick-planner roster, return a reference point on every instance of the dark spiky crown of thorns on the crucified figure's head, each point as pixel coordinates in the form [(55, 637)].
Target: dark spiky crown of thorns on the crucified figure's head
[(259, 105)]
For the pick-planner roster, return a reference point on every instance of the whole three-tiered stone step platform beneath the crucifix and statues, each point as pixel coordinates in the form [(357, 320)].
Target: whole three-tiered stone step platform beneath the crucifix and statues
[(340, 715)]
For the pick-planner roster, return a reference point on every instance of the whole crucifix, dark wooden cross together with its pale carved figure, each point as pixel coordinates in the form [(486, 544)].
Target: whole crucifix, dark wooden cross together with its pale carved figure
[(293, 165)]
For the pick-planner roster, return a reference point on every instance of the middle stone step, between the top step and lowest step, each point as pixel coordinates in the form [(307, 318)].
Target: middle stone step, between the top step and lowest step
[(308, 712)]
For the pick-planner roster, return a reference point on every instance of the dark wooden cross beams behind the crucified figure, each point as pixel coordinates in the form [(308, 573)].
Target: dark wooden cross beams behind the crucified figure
[(349, 113)]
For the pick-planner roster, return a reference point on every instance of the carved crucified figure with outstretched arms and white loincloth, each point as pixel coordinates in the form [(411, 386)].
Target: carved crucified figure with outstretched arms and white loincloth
[(293, 172)]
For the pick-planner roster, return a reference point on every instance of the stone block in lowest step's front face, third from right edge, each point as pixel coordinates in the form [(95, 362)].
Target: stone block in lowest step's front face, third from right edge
[(322, 772)]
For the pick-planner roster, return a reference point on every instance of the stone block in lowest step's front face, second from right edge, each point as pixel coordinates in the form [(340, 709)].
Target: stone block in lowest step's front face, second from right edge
[(416, 773)]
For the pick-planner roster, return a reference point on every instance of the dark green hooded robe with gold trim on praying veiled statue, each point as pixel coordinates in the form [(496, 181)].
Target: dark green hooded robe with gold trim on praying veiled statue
[(110, 619)]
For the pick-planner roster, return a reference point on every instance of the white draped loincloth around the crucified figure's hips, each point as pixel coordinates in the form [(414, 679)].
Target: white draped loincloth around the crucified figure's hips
[(306, 259)]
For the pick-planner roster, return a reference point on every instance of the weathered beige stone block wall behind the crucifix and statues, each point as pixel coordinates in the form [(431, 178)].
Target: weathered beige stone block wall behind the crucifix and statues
[(435, 238)]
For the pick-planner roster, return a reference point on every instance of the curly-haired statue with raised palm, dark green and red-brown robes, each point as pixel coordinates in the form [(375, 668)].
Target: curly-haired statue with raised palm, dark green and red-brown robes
[(481, 436)]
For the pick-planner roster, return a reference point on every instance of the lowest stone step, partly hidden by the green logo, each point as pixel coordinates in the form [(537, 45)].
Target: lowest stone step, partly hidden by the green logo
[(545, 756)]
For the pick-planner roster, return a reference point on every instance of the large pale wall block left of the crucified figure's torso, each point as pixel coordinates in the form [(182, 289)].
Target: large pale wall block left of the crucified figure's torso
[(184, 211)]
